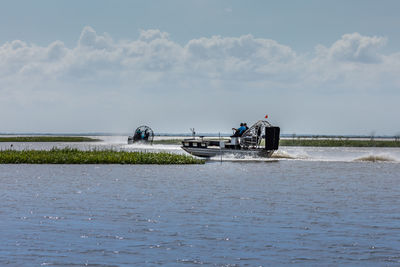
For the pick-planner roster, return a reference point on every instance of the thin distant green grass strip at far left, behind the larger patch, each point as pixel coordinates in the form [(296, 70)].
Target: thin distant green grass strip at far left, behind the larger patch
[(48, 139)]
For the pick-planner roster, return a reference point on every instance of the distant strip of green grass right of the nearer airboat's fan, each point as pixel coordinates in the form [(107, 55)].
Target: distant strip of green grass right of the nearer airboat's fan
[(338, 143)]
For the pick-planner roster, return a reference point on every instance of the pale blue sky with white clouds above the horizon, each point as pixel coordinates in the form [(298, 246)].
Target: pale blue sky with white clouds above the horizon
[(315, 67)]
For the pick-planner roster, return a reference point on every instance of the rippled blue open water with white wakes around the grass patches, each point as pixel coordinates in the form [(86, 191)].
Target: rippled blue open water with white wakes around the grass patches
[(306, 206)]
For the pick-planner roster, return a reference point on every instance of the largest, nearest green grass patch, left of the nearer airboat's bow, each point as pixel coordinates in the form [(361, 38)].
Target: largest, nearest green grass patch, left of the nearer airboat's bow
[(75, 156)]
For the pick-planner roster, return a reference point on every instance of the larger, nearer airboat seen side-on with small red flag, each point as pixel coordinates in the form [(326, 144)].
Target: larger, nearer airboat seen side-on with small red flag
[(260, 140)]
